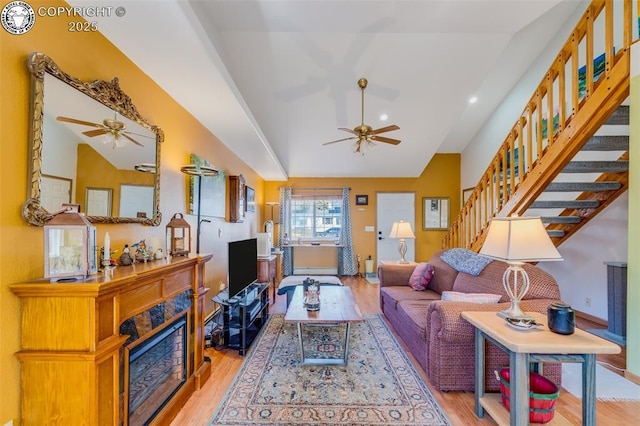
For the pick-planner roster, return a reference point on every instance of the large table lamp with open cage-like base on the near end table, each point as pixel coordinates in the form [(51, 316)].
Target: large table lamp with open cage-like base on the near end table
[(517, 240)]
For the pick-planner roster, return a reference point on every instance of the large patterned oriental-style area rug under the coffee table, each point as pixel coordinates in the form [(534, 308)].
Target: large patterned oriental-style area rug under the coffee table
[(379, 386)]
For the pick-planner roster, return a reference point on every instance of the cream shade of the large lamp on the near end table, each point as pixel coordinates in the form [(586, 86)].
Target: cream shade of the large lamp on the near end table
[(519, 239)]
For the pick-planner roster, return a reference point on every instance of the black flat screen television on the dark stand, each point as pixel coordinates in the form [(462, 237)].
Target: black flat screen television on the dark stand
[(243, 264)]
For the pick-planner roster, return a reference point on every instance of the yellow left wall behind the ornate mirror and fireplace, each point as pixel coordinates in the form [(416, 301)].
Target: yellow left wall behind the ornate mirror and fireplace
[(89, 56)]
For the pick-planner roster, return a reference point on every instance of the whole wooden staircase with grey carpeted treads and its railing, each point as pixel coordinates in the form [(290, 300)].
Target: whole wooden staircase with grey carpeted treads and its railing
[(560, 160)]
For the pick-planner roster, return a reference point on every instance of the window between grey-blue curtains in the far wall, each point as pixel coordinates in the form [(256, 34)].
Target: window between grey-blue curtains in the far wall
[(316, 216)]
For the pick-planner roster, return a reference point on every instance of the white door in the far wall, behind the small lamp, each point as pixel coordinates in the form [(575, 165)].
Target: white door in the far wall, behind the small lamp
[(394, 207)]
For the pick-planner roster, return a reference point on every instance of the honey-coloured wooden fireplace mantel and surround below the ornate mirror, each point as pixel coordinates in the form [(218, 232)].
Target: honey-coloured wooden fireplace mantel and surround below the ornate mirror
[(71, 346)]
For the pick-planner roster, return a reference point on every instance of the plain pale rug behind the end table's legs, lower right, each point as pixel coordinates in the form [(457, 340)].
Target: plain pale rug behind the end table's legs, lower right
[(609, 385)]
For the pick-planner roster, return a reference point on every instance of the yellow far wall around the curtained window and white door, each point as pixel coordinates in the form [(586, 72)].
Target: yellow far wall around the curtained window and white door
[(441, 178)]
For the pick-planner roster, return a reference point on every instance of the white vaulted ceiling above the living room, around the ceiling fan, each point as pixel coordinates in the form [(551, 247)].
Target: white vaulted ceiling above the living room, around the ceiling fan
[(274, 79)]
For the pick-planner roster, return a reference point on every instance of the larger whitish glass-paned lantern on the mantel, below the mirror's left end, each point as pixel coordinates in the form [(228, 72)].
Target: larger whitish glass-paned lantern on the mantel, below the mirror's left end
[(70, 250)]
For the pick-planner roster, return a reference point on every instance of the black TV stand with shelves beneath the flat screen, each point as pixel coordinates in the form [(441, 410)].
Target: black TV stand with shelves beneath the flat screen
[(244, 315)]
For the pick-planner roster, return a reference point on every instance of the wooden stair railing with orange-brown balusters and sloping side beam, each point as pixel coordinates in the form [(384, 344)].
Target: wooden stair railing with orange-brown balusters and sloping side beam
[(577, 95)]
